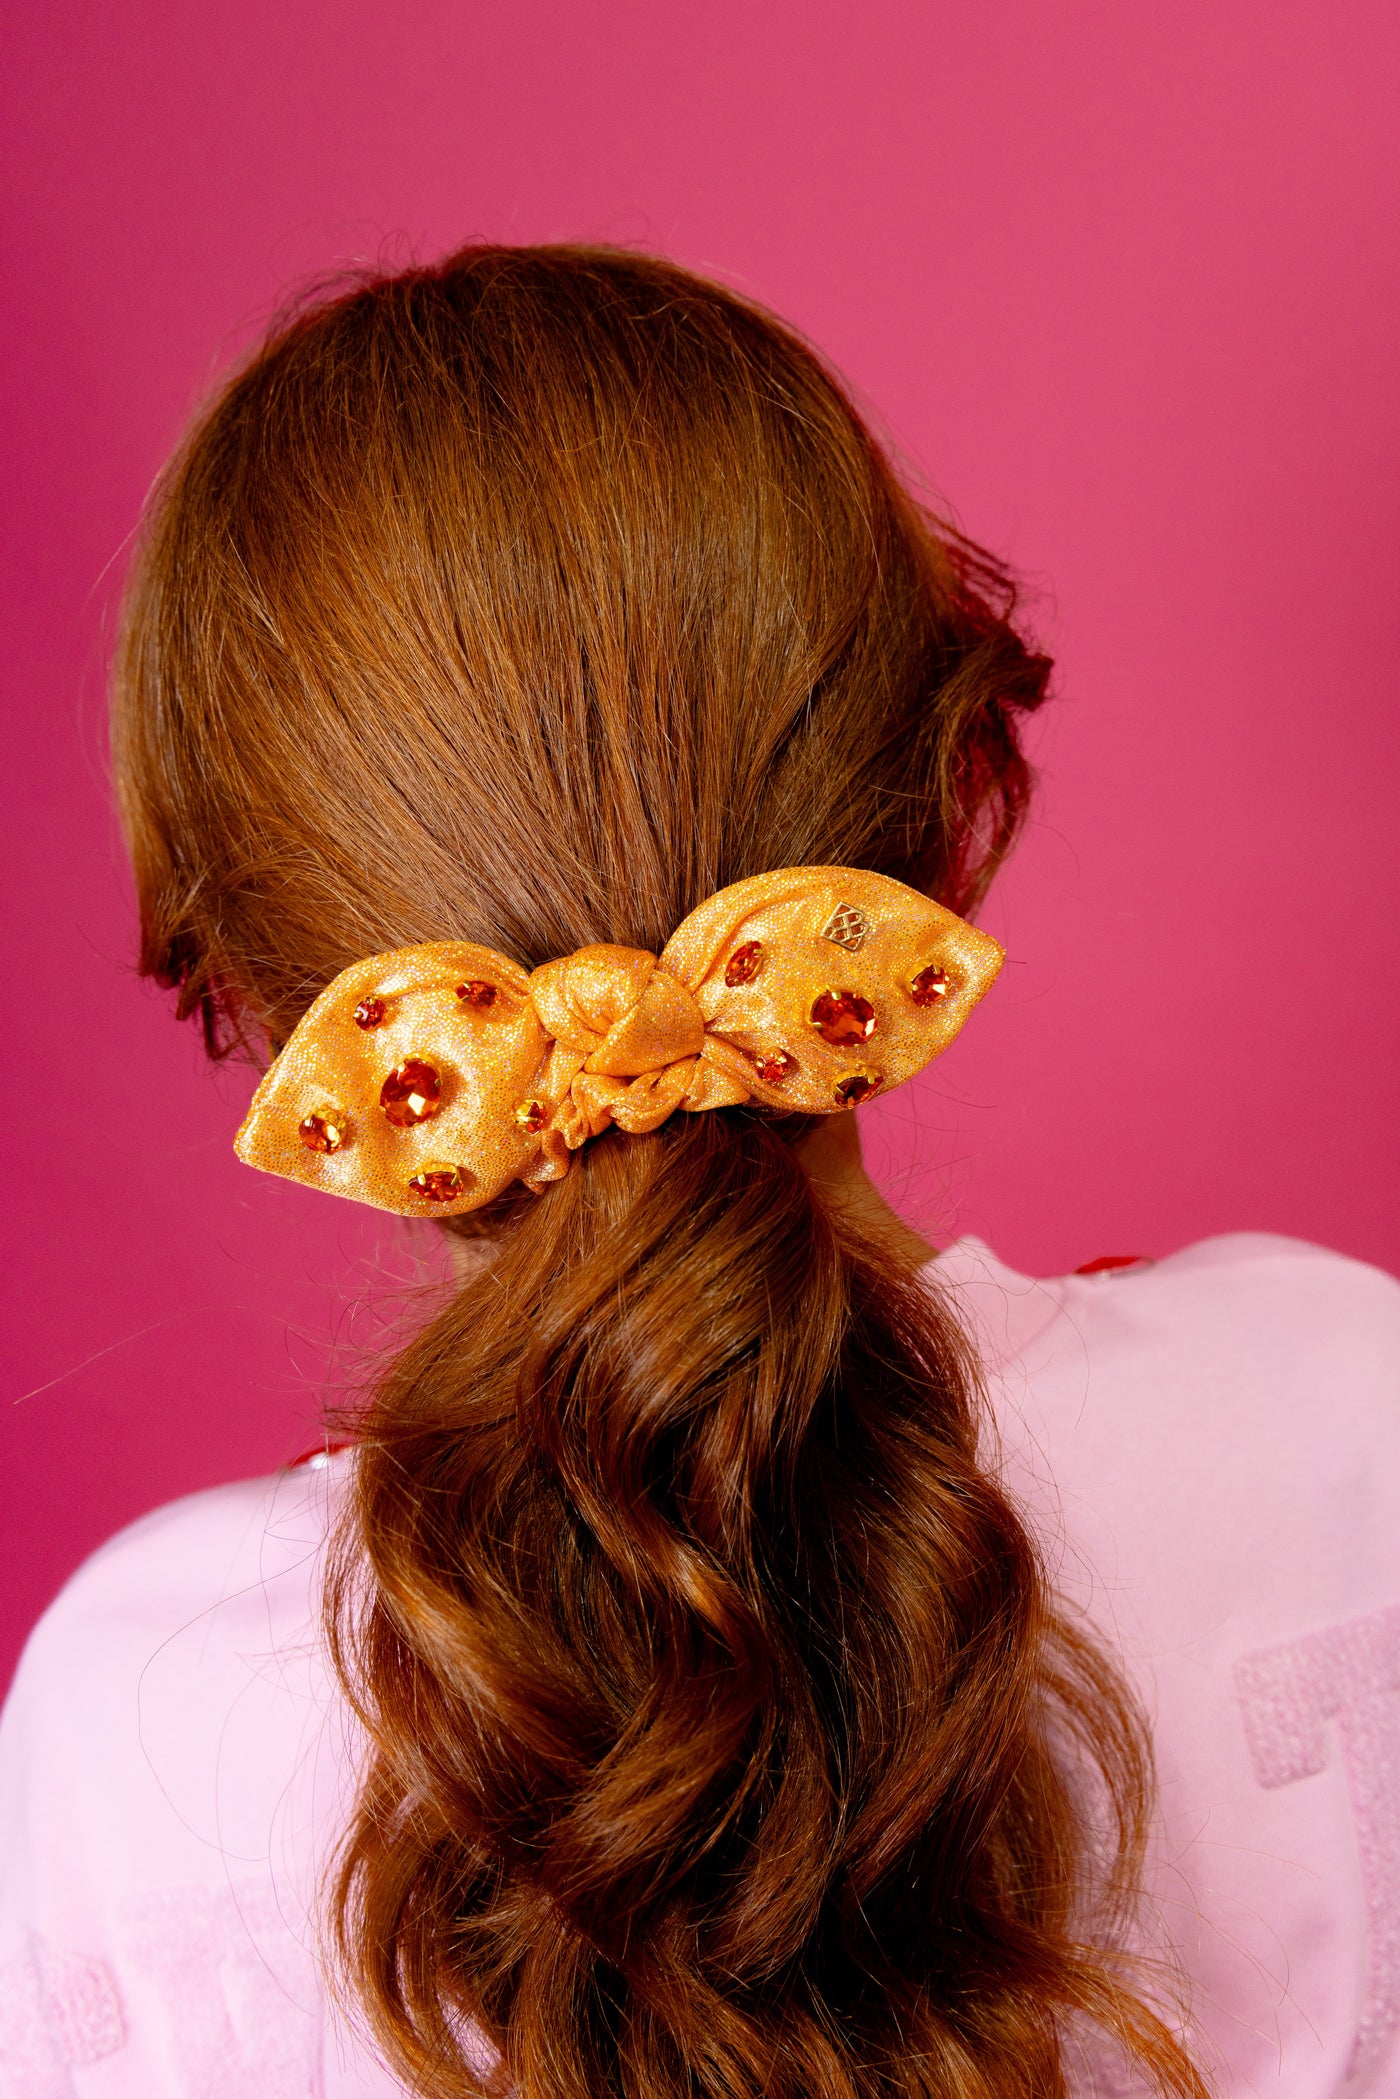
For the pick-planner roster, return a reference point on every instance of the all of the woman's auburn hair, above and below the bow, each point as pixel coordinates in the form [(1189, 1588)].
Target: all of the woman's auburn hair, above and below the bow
[(725, 1735)]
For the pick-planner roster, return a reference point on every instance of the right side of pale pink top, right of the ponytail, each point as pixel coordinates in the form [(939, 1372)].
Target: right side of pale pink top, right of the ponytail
[(1210, 1445)]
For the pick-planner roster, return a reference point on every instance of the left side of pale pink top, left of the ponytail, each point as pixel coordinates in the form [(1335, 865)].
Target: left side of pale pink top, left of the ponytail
[(171, 1760)]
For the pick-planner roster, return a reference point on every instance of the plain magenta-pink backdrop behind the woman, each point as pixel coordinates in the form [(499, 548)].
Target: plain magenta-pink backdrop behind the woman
[(1120, 278)]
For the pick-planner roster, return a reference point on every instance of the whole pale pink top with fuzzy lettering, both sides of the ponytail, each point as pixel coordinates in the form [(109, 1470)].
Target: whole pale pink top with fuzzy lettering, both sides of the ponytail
[(1210, 1447)]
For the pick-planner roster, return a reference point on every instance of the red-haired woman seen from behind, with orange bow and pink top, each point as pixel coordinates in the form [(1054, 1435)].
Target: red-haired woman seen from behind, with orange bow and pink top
[(530, 664)]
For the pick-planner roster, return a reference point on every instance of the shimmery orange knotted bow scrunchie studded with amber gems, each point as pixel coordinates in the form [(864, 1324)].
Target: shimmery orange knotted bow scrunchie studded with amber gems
[(431, 1078)]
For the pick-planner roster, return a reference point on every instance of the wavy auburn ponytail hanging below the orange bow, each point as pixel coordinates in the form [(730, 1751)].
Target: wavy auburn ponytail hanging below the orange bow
[(708, 1672)]
